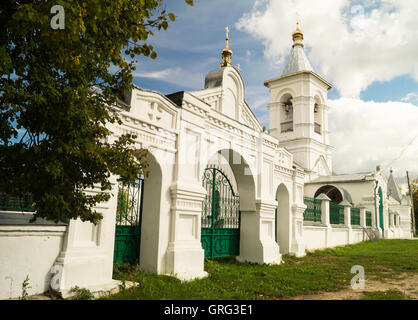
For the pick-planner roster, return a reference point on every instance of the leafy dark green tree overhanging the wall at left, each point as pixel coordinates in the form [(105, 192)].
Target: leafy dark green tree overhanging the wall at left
[(57, 96)]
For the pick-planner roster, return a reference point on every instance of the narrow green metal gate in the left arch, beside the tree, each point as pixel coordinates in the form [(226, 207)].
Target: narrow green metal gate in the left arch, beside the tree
[(128, 222)]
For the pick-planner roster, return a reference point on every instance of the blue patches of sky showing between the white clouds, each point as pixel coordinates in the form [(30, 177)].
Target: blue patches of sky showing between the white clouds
[(194, 42)]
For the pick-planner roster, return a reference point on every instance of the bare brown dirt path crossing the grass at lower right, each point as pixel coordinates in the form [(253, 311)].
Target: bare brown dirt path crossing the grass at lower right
[(406, 283)]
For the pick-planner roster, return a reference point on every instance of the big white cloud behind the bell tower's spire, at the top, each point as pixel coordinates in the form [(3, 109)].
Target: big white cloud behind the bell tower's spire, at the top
[(351, 44)]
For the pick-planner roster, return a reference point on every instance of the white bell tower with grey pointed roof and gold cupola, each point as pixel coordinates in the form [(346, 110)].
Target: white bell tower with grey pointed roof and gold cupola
[(298, 111)]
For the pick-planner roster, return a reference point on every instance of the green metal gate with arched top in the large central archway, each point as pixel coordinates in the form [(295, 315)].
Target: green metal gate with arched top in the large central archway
[(220, 216)]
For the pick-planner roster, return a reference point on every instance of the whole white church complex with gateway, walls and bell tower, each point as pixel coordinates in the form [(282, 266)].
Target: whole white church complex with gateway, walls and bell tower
[(218, 185)]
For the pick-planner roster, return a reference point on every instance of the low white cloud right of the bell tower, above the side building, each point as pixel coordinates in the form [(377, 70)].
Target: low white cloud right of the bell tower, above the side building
[(366, 134)]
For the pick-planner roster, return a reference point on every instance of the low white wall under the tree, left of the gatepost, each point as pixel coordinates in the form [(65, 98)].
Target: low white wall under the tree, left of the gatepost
[(27, 250)]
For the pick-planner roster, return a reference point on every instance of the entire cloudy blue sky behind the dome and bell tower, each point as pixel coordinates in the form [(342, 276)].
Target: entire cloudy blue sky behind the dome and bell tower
[(367, 49)]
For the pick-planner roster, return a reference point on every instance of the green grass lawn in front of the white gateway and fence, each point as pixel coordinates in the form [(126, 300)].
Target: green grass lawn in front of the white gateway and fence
[(324, 270)]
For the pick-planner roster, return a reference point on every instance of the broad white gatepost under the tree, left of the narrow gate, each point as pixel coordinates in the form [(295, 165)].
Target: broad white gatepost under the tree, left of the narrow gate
[(86, 259)]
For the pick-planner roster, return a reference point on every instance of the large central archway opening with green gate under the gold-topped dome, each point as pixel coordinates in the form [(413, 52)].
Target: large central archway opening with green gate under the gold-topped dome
[(225, 222)]
